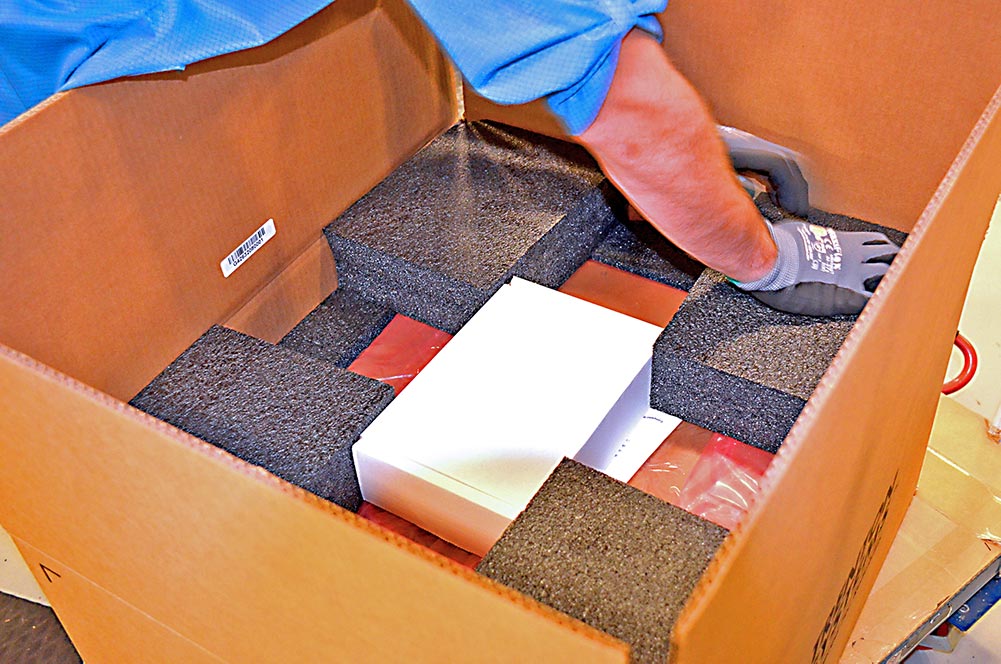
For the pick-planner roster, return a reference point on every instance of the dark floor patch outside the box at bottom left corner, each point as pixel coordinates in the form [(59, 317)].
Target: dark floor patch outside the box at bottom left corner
[(31, 632)]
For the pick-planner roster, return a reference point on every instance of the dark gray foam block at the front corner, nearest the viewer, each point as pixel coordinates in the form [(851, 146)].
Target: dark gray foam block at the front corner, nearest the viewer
[(607, 554)]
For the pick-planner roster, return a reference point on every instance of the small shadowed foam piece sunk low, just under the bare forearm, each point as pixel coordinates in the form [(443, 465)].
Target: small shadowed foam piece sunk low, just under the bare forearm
[(637, 248)]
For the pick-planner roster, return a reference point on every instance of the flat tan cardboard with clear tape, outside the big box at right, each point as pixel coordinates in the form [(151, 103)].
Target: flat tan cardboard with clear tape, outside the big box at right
[(943, 545)]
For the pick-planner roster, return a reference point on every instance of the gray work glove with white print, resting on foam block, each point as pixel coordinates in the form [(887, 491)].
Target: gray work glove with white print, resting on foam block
[(821, 272)]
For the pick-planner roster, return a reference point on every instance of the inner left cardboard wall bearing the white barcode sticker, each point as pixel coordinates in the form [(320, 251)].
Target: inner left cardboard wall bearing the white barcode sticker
[(121, 201)]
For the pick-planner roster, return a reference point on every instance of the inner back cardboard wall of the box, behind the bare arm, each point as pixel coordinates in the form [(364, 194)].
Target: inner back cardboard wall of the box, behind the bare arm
[(877, 97)]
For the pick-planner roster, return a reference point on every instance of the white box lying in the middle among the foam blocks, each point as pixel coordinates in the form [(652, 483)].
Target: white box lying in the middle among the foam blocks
[(534, 377)]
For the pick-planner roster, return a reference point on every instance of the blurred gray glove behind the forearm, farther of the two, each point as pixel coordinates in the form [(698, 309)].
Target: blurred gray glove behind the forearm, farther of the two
[(779, 165)]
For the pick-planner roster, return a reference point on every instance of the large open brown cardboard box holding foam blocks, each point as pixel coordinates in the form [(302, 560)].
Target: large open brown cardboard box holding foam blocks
[(120, 202)]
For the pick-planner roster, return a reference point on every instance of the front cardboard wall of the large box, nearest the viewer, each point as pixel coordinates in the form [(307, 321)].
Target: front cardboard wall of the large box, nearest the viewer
[(231, 558)]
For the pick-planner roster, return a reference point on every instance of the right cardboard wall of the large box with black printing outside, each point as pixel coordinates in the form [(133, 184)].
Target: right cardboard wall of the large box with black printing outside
[(824, 488)]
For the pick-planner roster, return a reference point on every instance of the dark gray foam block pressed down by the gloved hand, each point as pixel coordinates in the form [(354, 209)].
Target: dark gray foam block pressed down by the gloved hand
[(728, 363)]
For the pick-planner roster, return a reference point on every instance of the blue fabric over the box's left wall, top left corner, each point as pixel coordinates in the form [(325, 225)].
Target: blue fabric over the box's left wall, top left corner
[(51, 47)]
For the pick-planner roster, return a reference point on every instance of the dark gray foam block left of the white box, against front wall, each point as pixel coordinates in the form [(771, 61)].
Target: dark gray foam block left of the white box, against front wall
[(292, 415)]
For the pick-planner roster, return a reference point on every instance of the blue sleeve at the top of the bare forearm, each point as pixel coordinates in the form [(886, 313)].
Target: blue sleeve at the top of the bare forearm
[(513, 52)]
